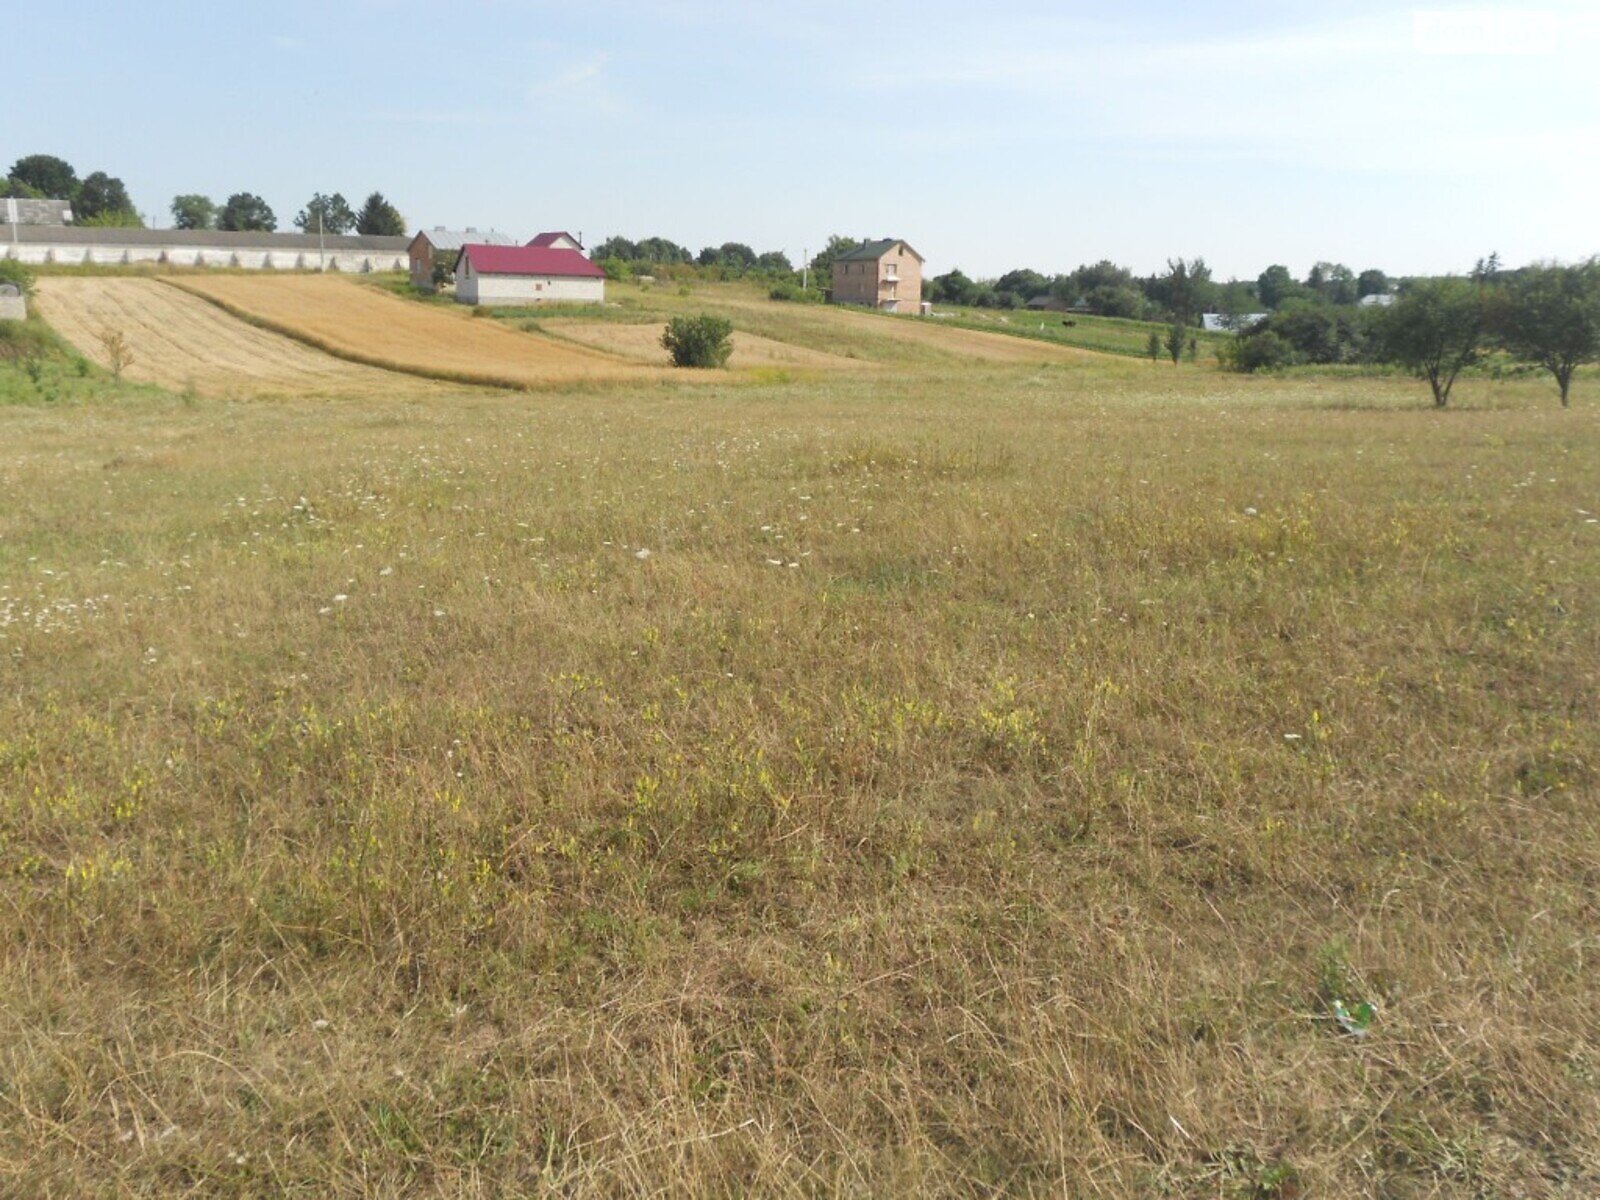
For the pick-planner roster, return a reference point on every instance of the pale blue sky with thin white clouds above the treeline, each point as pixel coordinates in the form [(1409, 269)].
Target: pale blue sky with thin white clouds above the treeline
[(991, 137)]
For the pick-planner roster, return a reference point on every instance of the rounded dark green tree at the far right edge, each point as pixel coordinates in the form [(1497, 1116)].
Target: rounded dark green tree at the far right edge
[(1551, 316)]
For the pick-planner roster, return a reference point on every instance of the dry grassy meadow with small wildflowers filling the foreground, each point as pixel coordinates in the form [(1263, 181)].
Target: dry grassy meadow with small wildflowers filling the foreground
[(964, 783)]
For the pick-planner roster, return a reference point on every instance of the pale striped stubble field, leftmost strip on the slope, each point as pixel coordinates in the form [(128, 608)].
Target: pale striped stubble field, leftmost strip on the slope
[(182, 342)]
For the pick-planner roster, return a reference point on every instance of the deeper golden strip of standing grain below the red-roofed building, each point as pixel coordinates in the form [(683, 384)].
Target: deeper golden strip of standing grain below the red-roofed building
[(369, 326)]
